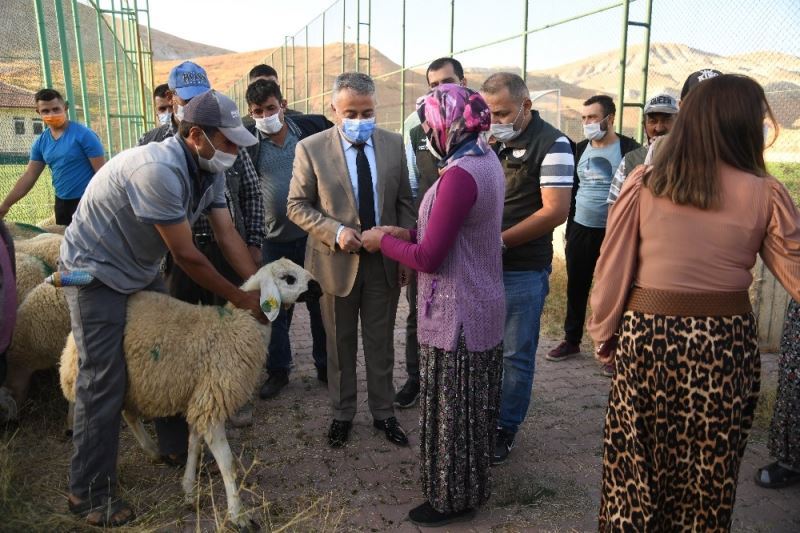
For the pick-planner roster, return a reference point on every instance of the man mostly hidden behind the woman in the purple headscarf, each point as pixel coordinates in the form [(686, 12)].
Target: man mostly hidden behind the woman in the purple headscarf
[(423, 171)]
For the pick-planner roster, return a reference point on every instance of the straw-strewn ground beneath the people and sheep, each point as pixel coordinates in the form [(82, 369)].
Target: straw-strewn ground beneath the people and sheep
[(295, 482)]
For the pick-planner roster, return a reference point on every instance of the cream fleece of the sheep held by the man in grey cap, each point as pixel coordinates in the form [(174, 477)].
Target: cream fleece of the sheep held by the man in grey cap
[(230, 349)]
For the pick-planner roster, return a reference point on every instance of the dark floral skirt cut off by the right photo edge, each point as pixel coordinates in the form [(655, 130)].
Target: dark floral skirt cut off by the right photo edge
[(784, 432)]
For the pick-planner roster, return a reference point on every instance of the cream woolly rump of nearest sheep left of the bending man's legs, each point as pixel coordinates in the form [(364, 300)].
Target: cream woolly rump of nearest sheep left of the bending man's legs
[(42, 327)]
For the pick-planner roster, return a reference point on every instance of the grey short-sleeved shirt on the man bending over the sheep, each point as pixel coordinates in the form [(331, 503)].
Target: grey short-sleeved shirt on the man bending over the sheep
[(113, 234)]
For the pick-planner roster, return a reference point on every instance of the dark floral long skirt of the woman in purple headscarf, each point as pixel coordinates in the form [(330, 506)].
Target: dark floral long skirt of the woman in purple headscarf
[(460, 400)]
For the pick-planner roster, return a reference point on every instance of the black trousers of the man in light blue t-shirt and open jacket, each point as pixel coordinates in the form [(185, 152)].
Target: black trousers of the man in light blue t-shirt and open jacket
[(582, 251)]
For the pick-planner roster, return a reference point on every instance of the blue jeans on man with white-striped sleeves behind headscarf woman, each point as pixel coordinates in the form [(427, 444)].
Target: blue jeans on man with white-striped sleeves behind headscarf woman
[(525, 294)]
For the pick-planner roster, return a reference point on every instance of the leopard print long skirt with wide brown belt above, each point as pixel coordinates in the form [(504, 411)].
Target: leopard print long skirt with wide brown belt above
[(679, 413)]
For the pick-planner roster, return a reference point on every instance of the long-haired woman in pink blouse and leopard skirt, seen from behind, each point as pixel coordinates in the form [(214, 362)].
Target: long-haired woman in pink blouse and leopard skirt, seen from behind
[(671, 311)]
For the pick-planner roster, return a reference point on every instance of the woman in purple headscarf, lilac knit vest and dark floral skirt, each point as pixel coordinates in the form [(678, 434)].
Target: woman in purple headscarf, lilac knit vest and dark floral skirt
[(461, 304)]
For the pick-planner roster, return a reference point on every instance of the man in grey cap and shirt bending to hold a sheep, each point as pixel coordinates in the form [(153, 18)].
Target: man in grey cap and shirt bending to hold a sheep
[(140, 205)]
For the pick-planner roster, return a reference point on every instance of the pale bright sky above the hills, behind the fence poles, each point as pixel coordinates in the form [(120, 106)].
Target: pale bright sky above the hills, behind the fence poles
[(720, 26)]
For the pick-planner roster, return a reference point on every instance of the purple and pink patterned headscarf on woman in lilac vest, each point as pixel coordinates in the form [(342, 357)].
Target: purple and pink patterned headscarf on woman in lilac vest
[(453, 118)]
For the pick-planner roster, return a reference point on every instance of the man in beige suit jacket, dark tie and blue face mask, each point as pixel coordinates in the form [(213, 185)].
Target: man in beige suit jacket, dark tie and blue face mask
[(346, 180)]
